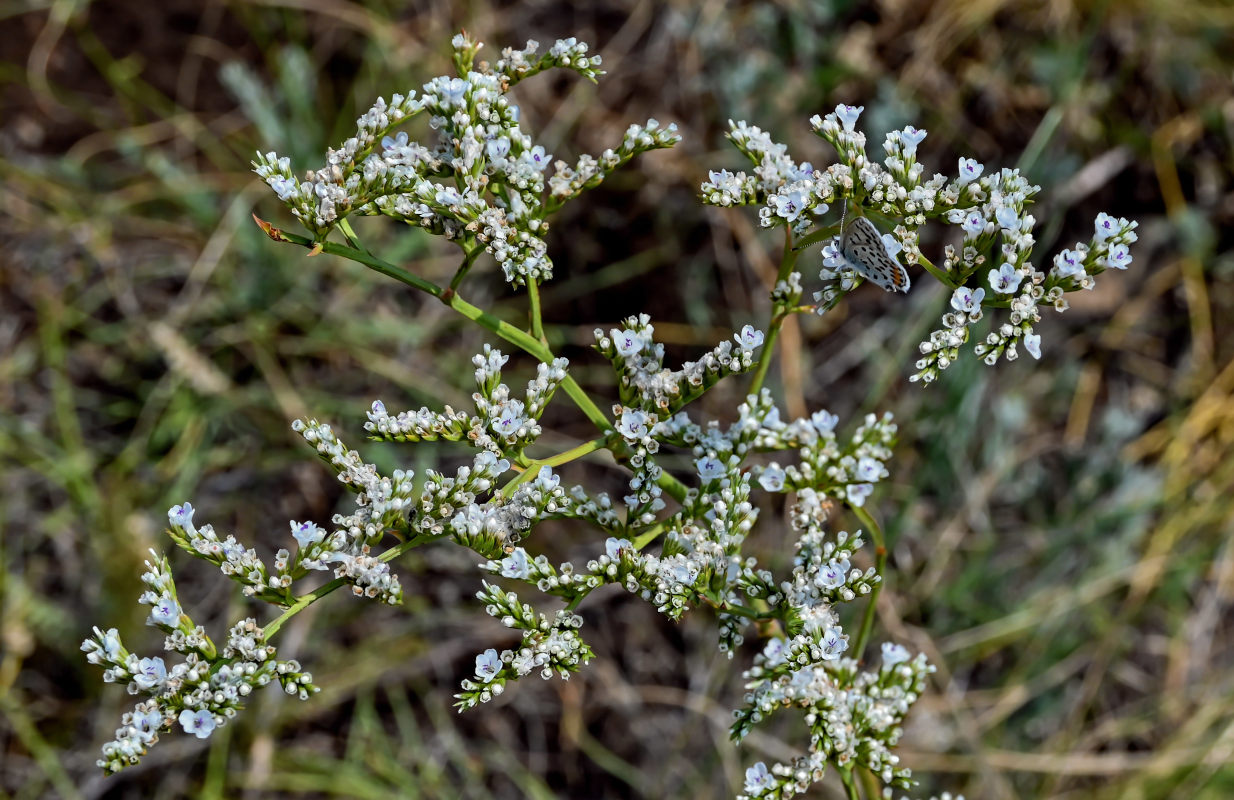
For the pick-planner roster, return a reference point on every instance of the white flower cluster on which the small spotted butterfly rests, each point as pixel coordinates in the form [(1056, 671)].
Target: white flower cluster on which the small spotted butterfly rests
[(992, 266)]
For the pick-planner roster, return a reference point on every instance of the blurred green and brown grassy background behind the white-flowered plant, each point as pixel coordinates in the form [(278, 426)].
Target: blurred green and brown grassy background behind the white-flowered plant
[(1061, 530)]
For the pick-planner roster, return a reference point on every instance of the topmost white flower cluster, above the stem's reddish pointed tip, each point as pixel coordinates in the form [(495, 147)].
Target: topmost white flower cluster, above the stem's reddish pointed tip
[(483, 183)]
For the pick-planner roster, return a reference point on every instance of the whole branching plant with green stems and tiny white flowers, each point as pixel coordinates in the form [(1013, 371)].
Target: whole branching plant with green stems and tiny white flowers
[(674, 540)]
